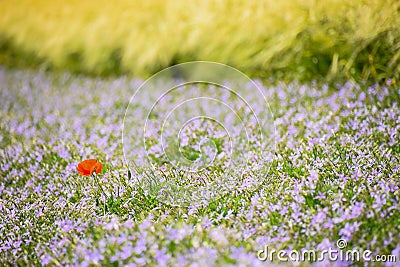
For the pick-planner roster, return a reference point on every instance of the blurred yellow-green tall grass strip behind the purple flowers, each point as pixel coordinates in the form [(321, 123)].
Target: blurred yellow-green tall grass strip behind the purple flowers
[(292, 39)]
